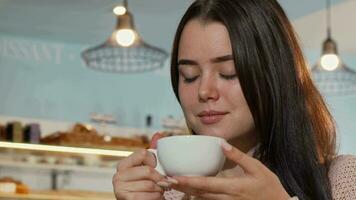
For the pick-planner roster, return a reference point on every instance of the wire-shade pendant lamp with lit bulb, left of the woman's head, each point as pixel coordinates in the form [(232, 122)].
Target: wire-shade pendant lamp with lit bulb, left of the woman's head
[(124, 51)]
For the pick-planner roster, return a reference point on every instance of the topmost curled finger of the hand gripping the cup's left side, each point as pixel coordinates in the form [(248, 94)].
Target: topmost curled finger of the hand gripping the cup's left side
[(141, 157)]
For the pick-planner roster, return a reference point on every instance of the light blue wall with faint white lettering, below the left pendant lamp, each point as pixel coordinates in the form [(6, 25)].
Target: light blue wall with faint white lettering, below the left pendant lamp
[(49, 80)]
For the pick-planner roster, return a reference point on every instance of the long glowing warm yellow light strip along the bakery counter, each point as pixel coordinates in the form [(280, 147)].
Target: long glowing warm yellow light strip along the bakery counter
[(41, 147)]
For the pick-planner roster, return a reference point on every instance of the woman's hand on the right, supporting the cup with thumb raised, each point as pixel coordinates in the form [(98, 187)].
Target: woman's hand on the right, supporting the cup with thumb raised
[(257, 182)]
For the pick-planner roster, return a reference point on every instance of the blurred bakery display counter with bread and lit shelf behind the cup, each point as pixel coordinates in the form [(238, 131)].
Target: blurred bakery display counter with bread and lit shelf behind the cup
[(70, 161)]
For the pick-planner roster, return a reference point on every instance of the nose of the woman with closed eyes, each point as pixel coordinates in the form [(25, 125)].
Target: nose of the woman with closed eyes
[(208, 89)]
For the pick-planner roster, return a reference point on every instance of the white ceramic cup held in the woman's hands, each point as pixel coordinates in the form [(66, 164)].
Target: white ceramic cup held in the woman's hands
[(189, 155)]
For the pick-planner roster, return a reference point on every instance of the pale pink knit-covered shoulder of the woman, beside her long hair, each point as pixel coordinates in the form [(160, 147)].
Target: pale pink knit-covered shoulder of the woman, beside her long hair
[(342, 175)]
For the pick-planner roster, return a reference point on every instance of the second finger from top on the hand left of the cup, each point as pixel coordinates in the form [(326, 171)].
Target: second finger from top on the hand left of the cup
[(140, 173)]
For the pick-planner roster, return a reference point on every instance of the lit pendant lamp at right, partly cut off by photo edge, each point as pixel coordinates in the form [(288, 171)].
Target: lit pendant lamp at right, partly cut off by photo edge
[(331, 75)]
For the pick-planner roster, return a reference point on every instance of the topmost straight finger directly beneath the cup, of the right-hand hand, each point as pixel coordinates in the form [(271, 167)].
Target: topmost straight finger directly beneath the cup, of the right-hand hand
[(198, 185)]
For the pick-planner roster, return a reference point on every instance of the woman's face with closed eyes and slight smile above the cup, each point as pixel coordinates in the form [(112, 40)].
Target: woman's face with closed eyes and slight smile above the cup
[(209, 89)]
